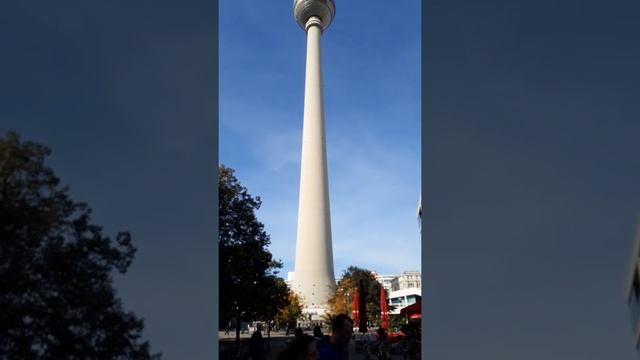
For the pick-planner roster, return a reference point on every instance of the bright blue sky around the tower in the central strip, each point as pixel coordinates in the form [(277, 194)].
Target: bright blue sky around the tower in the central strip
[(371, 64)]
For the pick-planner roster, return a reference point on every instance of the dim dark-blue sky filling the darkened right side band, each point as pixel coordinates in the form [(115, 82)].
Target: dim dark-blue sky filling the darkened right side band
[(531, 178)]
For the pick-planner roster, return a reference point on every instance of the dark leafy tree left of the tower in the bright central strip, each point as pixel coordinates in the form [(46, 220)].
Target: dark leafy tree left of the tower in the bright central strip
[(249, 287)]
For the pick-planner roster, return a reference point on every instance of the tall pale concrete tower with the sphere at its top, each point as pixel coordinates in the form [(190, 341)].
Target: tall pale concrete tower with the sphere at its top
[(314, 277)]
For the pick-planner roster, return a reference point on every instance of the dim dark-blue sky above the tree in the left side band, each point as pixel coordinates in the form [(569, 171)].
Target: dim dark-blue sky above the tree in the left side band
[(123, 92)]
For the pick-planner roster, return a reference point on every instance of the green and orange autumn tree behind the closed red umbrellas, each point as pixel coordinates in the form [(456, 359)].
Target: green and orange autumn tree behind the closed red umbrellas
[(343, 297)]
